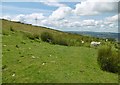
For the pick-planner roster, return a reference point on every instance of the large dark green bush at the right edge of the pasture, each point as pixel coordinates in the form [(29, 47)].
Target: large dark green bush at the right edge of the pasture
[(108, 59)]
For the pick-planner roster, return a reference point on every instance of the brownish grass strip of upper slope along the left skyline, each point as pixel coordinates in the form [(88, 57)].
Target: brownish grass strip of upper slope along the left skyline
[(28, 28)]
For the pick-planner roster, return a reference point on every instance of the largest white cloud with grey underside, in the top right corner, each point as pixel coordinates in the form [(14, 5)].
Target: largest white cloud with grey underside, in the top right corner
[(93, 8)]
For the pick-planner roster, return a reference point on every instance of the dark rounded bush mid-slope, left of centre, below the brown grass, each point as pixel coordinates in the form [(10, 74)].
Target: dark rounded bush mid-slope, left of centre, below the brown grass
[(47, 37)]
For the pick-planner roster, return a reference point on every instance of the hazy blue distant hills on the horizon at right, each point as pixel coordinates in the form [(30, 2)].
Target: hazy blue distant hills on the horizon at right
[(97, 34)]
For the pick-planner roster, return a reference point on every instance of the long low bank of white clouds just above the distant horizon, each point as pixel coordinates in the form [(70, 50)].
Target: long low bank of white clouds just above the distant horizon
[(83, 25)]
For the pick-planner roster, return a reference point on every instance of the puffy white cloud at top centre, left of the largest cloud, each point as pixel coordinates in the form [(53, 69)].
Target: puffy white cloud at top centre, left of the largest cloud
[(60, 13)]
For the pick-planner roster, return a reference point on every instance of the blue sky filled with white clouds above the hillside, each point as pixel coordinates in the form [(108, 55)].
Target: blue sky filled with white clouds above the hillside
[(85, 15)]
